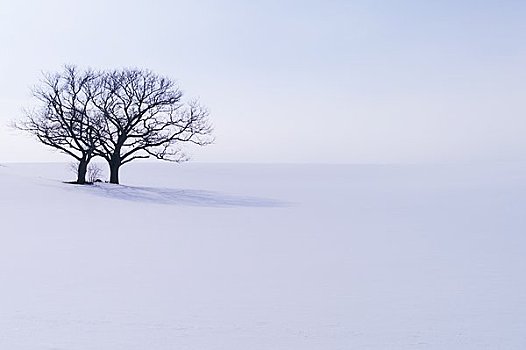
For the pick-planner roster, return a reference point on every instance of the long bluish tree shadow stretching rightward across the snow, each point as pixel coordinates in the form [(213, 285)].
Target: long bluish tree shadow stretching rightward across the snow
[(181, 197)]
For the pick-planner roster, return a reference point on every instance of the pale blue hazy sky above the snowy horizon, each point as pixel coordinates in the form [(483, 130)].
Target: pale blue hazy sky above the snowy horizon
[(297, 81)]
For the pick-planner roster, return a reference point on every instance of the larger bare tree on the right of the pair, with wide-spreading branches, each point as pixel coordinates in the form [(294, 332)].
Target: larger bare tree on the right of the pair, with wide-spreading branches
[(143, 116)]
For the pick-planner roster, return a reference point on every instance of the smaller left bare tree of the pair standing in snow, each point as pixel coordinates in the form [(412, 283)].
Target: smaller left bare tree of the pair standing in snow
[(65, 118)]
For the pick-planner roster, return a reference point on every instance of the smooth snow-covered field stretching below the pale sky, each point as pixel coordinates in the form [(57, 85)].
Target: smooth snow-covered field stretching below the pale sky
[(227, 257)]
